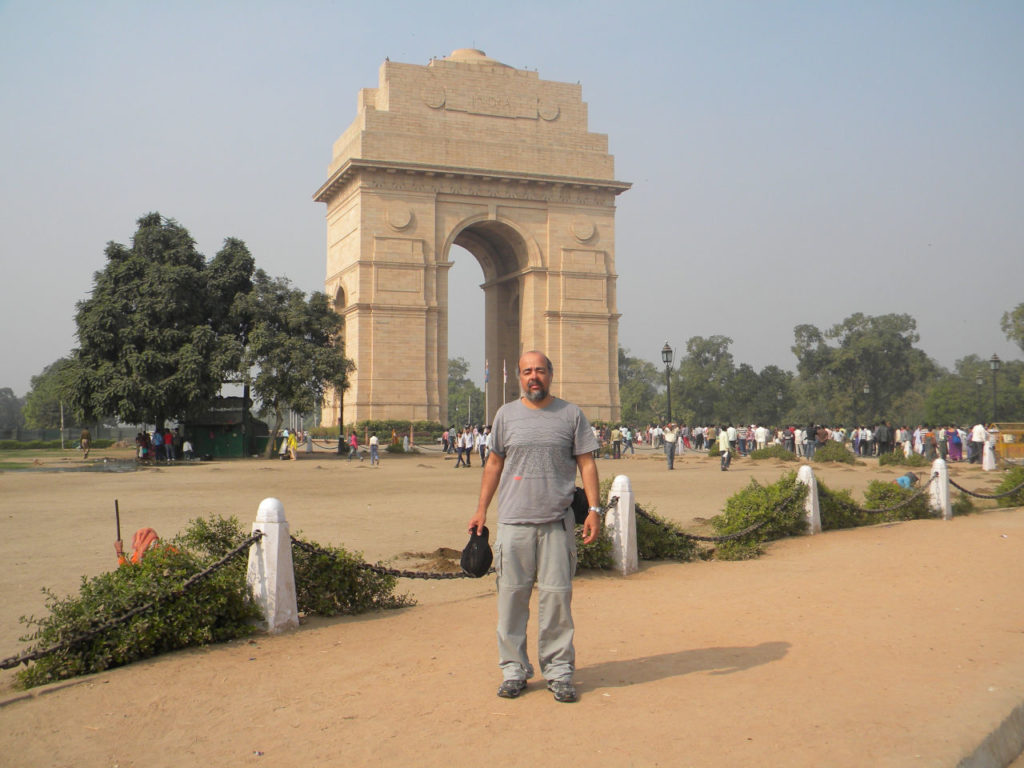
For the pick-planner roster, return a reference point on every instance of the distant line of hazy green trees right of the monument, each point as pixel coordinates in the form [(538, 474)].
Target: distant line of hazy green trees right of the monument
[(861, 371)]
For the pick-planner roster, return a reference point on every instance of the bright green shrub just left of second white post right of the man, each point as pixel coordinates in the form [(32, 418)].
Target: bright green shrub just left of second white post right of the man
[(780, 505)]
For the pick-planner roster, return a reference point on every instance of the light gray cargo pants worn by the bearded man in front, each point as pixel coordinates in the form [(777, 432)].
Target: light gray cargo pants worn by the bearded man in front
[(545, 553)]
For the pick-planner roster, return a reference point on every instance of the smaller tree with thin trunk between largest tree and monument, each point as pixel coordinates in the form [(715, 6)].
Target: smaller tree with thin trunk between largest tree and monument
[(292, 351)]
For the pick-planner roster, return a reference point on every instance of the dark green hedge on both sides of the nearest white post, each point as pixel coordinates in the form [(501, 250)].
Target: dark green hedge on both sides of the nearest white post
[(214, 611)]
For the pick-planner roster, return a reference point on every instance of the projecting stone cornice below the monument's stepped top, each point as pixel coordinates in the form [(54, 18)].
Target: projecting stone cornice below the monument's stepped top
[(355, 167)]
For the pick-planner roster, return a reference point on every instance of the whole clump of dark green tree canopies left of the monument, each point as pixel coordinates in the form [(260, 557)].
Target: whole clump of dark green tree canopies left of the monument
[(164, 330)]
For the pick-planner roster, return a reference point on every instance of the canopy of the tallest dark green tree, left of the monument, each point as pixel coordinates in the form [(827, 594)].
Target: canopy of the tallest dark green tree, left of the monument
[(148, 351)]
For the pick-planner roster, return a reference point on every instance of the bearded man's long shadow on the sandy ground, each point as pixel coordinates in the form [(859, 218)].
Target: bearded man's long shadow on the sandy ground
[(717, 661)]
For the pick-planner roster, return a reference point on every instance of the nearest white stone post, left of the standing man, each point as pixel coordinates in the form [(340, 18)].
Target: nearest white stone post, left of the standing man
[(271, 576)]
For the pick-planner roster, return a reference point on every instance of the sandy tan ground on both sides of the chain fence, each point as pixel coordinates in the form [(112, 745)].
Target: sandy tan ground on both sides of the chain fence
[(895, 646)]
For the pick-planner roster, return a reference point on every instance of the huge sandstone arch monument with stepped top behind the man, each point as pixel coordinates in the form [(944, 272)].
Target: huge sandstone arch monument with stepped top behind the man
[(466, 151)]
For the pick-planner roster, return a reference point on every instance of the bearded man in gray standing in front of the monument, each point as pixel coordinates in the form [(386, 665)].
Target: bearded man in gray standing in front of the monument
[(542, 441)]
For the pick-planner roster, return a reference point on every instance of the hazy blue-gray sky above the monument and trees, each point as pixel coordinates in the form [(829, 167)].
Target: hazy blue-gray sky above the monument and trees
[(792, 162)]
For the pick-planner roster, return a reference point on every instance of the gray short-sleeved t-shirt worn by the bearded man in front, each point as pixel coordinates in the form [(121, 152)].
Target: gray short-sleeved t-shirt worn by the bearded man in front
[(540, 447)]
